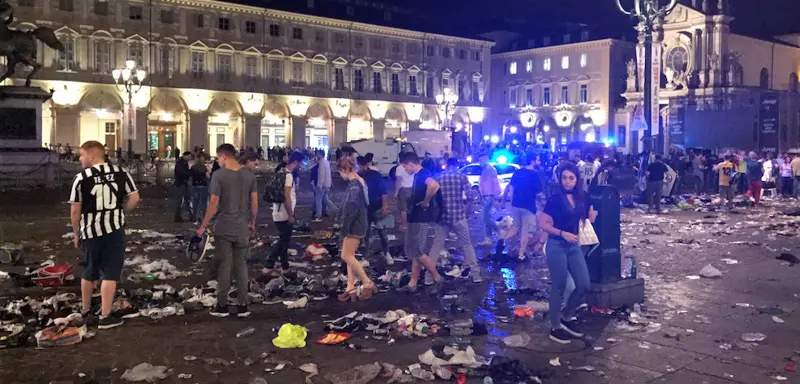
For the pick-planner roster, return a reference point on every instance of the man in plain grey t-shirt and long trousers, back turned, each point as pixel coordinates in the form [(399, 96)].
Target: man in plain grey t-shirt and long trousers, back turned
[(234, 199)]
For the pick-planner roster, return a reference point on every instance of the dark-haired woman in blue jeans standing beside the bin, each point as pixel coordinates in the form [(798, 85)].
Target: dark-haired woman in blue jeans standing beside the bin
[(562, 215)]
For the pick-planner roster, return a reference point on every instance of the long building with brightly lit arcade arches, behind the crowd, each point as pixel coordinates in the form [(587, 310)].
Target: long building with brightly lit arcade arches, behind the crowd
[(222, 72)]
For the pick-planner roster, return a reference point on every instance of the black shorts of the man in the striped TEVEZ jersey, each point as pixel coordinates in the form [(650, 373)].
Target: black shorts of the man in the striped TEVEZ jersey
[(104, 256)]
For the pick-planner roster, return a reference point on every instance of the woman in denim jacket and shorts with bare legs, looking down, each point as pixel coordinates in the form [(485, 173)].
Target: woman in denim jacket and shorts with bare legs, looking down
[(353, 221)]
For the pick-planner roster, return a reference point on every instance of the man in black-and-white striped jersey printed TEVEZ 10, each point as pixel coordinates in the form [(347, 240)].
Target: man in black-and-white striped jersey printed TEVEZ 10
[(98, 220)]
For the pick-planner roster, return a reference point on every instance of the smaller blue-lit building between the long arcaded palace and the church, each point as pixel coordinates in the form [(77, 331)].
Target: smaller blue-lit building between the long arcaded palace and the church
[(561, 89)]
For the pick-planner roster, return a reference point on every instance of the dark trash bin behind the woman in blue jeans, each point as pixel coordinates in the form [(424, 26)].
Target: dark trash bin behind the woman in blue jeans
[(605, 263)]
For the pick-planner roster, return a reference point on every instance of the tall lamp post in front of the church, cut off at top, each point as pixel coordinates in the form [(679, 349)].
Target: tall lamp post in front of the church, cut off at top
[(649, 14)]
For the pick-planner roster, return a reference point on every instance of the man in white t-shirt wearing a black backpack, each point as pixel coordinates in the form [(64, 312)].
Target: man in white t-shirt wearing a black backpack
[(283, 212)]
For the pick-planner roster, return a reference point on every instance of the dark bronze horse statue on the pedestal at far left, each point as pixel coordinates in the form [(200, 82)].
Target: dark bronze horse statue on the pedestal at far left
[(20, 47)]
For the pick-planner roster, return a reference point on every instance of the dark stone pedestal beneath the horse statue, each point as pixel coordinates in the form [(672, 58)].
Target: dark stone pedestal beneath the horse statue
[(23, 160)]
